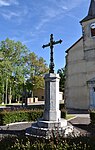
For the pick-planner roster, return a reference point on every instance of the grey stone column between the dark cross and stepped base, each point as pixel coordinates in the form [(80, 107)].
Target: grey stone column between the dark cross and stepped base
[(51, 112)]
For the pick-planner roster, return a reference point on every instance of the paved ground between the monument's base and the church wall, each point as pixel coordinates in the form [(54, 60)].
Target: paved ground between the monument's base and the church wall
[(82, 122)]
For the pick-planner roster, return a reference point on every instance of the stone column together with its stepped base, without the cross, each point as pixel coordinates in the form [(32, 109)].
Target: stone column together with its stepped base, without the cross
[(51, 124)]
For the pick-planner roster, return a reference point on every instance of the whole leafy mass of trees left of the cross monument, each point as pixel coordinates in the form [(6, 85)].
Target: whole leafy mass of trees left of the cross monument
[(19, 70)]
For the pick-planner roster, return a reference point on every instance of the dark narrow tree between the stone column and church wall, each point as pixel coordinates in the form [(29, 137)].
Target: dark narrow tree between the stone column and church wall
[(62, 74)]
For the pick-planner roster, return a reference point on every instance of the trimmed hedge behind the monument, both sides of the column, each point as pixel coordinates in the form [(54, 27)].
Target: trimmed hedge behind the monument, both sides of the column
[(8, 116)]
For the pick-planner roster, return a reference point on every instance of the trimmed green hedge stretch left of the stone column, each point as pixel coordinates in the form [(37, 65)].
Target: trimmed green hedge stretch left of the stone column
[(7, 117)]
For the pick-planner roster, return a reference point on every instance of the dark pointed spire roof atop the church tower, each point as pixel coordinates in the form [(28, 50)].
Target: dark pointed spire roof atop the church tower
[(91, 12)]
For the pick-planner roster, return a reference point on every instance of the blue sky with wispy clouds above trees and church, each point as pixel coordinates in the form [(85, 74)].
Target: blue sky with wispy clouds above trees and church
[(32, 22)]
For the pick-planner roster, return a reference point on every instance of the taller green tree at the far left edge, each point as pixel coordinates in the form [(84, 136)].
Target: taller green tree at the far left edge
[(12, 67)]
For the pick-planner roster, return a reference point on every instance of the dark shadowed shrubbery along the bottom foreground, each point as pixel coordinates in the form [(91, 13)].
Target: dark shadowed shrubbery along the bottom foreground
[(30, 143)]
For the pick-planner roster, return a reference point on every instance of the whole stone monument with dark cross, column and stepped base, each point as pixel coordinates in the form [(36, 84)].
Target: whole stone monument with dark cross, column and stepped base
[(51, 120)]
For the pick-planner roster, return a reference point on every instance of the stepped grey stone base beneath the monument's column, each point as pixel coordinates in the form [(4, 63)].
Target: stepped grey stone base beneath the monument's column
[(47, 129)]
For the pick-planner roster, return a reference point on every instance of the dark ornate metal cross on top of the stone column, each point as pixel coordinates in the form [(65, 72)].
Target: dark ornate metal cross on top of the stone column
[(52, 42)]
